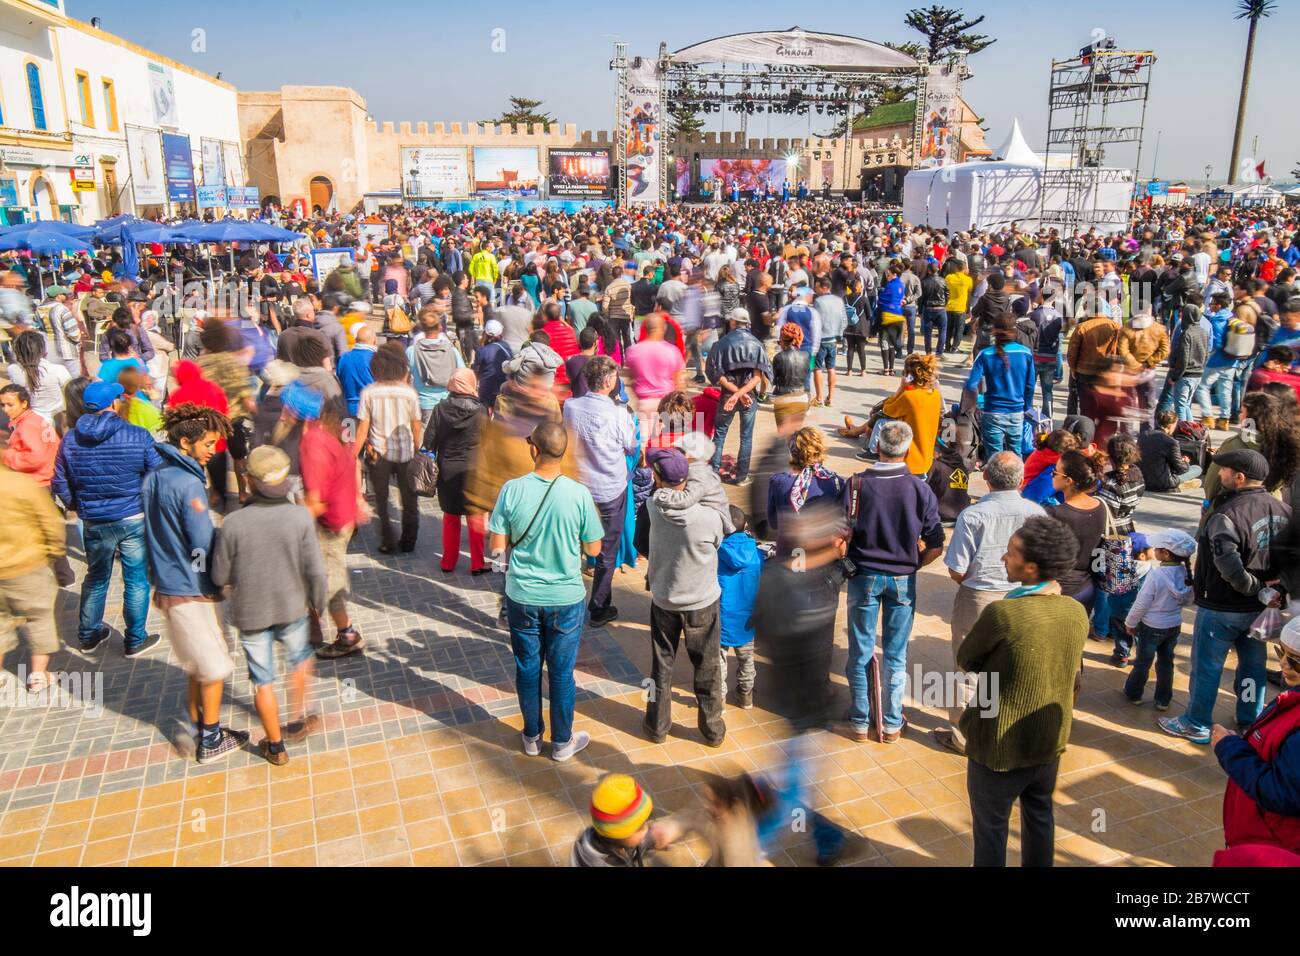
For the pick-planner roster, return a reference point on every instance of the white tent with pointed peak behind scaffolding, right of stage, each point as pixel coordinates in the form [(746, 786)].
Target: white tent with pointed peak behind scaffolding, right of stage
[(991, 193)]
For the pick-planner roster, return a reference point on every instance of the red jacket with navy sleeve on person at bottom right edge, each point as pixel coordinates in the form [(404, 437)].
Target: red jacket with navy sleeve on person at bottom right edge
[(1264, 768)]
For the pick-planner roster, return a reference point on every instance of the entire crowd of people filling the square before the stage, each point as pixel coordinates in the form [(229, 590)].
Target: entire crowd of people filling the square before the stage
[(567, 387)]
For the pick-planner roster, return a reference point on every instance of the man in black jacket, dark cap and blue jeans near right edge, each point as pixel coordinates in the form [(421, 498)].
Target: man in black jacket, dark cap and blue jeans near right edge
[(1234, 564)]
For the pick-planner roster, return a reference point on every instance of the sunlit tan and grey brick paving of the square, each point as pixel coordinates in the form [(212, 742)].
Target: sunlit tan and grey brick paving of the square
[(419, 762)]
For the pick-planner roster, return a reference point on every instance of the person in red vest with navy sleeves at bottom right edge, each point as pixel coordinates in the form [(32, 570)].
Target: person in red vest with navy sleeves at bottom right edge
[(1262, 807)]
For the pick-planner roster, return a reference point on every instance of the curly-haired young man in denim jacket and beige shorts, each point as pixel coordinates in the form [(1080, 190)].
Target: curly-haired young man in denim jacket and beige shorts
[(180, 534)]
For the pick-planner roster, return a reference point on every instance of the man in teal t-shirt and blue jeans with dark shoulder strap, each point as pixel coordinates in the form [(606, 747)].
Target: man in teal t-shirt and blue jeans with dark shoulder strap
[(548, 522)]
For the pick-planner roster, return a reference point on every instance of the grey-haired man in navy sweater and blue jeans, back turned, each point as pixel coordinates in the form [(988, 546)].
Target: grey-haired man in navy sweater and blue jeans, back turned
[(895, 531)]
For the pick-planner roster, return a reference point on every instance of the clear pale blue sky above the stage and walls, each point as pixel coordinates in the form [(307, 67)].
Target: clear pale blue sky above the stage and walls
[(435, 62)]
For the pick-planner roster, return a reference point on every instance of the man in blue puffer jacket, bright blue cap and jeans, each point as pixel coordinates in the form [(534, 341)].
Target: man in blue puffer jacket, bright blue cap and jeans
[(98, 474)]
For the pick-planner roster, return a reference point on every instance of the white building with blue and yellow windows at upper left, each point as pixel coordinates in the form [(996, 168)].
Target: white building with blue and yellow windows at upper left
[(85, 116)]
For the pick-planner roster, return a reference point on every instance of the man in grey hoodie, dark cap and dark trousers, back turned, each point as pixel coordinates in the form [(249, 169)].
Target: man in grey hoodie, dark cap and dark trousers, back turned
[(683, 551)]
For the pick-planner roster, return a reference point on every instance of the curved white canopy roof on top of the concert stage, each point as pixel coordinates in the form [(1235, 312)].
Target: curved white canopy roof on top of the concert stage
[(796, 47)]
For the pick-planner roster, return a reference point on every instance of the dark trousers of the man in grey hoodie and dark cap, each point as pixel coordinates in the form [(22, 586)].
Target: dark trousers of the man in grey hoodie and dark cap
[(703, 634)]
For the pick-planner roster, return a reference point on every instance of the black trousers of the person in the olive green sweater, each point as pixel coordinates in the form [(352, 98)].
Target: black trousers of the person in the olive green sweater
[(993, 794)]
